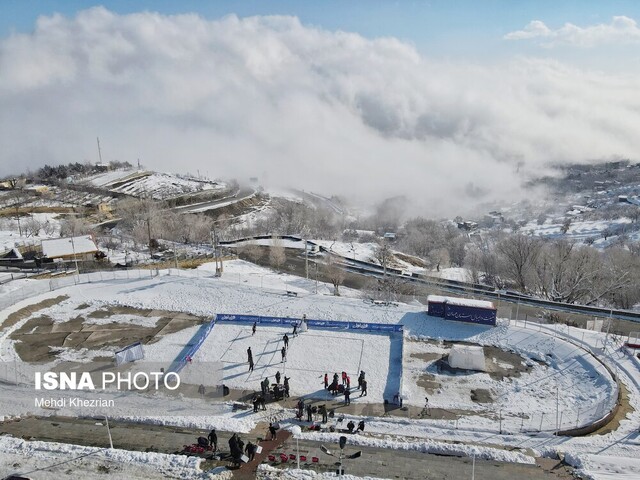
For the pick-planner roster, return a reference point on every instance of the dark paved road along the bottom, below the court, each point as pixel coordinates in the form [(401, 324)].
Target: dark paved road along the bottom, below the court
[(377, 462)]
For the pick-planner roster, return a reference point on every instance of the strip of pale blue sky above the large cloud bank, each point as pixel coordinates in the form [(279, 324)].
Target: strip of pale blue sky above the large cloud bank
[(436, 27)]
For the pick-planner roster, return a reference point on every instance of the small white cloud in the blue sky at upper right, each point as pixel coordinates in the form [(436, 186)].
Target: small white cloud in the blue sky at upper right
[(621, 30)]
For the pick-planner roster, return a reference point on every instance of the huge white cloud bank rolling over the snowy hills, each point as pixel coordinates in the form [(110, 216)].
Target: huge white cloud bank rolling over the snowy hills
[(326, 111)]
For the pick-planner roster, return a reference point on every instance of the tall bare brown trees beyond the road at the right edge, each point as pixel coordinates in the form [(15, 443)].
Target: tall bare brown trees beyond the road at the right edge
[(557, 269)]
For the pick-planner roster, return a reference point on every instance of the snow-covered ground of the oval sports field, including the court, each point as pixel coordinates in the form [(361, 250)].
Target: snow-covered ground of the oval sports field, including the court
[(563, 378)]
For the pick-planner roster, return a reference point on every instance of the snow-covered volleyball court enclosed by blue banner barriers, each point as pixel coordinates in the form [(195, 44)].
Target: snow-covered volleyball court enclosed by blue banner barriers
[(310, 355)]
